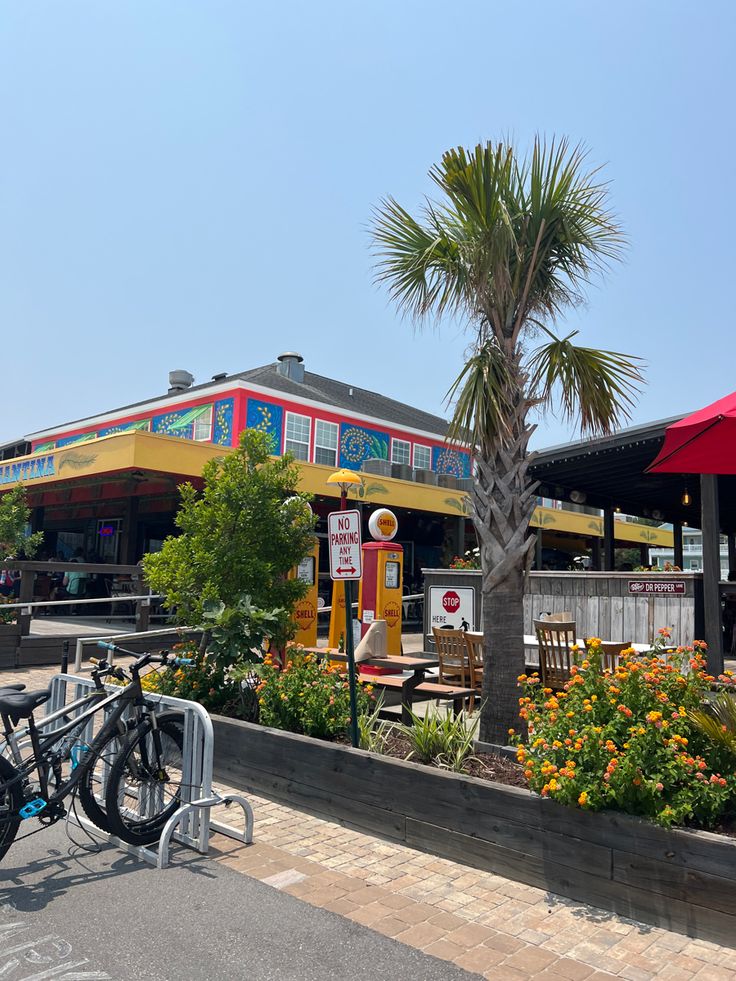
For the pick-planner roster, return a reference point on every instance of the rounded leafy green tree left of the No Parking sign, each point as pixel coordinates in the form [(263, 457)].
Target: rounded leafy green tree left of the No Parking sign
[(239, 538)]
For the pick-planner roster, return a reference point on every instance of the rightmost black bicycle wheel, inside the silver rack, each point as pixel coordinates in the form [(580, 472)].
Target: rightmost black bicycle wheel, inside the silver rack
[(144, 786)]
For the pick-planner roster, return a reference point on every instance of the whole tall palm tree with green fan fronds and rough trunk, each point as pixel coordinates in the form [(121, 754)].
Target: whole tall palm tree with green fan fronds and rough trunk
[(511, 246)]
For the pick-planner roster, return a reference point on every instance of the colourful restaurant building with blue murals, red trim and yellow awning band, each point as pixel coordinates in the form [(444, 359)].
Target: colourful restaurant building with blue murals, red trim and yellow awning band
[(108, 483)]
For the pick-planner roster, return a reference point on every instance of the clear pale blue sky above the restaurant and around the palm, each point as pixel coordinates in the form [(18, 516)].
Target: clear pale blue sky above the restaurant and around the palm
[(188, 185)]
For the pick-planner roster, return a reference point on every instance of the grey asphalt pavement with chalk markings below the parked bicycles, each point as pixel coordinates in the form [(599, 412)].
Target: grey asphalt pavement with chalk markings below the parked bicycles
[(71, 915)]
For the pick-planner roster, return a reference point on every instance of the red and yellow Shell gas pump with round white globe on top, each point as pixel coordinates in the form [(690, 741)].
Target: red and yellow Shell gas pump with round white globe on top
[(381, 588)]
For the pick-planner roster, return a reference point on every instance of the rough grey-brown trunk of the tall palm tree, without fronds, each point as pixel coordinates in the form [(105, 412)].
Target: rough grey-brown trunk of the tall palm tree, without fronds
[(503, 505)]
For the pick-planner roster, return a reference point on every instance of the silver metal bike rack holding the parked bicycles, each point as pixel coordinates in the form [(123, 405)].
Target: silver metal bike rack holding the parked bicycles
[(192, 823)]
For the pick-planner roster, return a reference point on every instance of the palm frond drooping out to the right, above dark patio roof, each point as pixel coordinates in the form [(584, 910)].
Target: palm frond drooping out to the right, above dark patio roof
[(593, 388)]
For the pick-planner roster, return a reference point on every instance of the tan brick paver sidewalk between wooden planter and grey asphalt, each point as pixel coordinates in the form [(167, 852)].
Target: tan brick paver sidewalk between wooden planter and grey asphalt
[(496, 927)]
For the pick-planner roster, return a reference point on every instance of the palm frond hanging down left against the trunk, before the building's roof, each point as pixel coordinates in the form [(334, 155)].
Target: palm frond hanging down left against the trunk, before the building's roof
[(481, 408)]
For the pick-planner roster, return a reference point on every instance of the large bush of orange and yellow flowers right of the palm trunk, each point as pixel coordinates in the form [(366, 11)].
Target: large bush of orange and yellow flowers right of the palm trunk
[(629, 739)]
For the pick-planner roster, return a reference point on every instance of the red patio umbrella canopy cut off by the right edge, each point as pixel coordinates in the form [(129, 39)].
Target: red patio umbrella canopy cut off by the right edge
[(704, 442)]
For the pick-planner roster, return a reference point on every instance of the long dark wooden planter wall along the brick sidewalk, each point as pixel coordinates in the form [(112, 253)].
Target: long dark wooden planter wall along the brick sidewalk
[(679, 880)]
